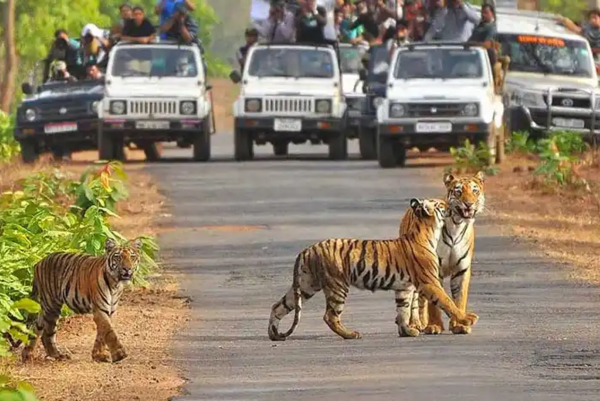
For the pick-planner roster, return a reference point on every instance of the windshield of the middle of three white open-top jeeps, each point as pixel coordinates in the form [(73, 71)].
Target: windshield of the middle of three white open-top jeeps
[(291, 63)]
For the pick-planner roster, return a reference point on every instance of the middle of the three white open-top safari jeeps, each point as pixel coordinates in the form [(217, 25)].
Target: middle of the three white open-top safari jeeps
[(290, 93)]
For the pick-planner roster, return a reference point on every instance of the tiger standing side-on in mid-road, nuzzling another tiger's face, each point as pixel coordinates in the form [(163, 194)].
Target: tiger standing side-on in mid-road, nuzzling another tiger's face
[(400, 264)]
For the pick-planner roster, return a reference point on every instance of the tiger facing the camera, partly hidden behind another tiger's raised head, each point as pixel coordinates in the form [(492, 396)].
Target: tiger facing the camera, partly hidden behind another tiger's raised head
[(465, 198)]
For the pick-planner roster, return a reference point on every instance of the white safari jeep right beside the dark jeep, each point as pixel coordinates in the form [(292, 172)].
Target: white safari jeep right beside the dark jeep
[(155, 92)]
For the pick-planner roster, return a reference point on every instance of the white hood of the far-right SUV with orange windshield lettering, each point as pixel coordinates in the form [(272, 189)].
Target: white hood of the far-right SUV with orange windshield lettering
[(537, 82)]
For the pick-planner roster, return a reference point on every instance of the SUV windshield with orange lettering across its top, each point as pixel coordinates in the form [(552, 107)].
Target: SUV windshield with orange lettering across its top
[(547, 55)]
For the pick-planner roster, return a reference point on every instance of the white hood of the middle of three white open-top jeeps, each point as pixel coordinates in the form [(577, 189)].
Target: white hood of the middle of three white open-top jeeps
[(289, 87)]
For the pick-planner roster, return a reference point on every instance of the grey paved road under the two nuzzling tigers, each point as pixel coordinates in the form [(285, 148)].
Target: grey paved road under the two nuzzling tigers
[(537, 338)]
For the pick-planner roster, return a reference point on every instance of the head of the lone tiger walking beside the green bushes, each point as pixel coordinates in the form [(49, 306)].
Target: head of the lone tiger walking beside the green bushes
[(122, 260)]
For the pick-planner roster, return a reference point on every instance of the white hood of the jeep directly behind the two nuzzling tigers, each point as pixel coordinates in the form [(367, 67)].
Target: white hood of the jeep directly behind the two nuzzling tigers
[(436, 91)]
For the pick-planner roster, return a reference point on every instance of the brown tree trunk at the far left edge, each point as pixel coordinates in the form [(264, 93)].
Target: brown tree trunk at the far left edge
[(10, 73)]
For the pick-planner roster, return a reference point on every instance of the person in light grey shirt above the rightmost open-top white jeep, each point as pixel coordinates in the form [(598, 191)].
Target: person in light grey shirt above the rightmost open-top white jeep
[(454, 23)]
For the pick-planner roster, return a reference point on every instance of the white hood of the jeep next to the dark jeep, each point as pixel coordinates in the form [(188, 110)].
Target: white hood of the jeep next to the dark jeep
[(154, 88)]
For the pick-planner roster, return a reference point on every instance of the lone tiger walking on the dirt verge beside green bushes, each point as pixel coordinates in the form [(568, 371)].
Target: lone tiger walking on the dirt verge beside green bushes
[(86, 284)]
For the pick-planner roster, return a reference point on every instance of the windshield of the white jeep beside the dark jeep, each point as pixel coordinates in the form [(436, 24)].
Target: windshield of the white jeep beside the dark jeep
[(146, 61)]
